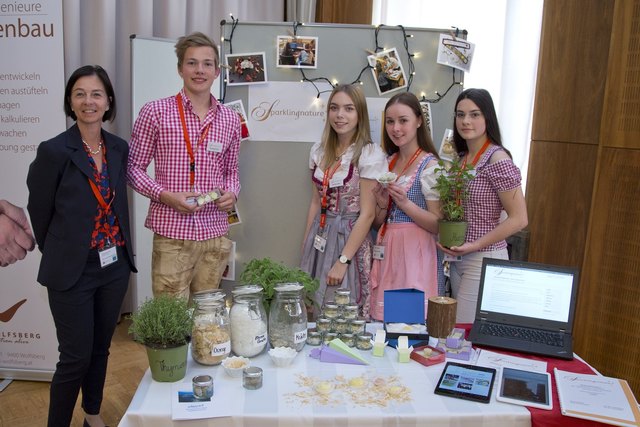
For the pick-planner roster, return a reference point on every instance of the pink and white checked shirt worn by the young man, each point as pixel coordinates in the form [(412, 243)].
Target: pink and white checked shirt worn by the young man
[(157, 135)]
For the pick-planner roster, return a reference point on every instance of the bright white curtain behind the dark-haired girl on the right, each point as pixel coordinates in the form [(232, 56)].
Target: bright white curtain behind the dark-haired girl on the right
[(507, 38)]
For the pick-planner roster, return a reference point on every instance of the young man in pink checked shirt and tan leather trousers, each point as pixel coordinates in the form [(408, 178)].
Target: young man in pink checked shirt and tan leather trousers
[(194, 142)]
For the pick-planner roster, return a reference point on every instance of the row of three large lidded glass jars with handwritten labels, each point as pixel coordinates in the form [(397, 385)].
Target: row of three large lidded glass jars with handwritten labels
[(244, 329)]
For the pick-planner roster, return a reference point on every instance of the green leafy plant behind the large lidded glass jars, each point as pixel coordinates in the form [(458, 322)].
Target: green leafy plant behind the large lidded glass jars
[(268, 273)]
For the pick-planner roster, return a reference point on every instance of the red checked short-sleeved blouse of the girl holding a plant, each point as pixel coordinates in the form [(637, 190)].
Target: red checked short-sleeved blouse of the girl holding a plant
[(483, 207)]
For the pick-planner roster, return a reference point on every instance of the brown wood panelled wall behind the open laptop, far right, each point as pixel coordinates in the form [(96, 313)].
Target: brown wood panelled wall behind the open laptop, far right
[(584, 172)]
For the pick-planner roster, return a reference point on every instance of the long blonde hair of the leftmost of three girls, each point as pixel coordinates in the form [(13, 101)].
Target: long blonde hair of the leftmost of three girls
[(361, 137)]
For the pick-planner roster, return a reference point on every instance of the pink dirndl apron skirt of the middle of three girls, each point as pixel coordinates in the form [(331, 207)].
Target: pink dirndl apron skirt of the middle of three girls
[(410, 261)]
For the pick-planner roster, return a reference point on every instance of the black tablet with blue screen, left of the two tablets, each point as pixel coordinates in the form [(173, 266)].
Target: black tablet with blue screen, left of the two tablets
[(466, 382)]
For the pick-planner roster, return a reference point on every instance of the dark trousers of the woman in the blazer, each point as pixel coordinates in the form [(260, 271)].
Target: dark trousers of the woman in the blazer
[(85, 317)]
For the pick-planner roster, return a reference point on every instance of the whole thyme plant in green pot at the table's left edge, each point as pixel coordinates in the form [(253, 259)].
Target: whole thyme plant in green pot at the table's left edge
[(164, 325)]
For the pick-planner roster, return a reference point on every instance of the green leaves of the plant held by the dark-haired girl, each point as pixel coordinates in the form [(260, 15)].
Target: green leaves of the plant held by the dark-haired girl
[(452, 184)]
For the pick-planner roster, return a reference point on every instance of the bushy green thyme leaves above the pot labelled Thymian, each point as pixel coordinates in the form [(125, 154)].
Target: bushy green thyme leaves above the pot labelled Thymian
[(162, 322)]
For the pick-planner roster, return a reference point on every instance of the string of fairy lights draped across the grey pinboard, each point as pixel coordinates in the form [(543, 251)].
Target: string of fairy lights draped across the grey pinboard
[(411, 67)]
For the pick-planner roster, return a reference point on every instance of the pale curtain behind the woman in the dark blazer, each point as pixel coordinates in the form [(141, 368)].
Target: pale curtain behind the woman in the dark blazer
[(98, 32)]
